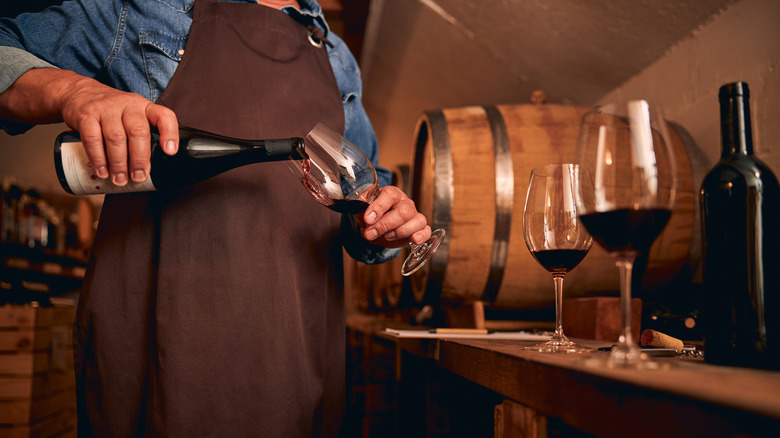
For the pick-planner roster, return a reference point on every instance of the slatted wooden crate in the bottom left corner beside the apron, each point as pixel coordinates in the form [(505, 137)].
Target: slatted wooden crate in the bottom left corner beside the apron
[(37, 382)]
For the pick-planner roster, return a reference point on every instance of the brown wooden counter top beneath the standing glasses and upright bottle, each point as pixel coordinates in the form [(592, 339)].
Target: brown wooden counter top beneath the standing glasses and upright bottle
[(689, 398)]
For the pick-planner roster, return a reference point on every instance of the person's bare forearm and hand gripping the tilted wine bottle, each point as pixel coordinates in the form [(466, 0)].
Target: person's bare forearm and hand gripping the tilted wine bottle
[(114, 125)]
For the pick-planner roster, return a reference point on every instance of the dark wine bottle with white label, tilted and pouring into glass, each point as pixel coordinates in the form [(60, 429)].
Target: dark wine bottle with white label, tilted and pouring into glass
[(201, 156)]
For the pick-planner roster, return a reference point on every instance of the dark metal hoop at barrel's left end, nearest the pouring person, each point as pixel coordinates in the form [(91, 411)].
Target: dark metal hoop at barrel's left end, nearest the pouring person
[(444, 189)]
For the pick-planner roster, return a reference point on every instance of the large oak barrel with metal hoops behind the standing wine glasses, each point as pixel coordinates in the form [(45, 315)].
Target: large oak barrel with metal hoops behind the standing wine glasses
[(470, 173)]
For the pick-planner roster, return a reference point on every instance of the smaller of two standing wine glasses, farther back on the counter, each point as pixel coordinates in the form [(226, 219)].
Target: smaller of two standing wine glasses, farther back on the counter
[(555, 237)]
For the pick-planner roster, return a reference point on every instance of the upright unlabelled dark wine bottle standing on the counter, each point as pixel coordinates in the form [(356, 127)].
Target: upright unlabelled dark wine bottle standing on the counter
[(740, 201)]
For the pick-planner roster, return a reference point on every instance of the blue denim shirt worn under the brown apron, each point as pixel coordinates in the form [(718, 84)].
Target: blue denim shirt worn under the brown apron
[(136, 46)]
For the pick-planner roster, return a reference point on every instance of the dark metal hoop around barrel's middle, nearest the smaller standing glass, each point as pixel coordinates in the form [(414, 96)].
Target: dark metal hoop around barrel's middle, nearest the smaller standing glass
[(505, 193)]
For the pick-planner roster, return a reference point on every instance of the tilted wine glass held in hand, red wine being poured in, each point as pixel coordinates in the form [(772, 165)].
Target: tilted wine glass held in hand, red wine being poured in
[(341, 177)]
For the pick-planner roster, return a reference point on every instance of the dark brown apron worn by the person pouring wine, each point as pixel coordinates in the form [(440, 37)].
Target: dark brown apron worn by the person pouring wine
[(217, 310)]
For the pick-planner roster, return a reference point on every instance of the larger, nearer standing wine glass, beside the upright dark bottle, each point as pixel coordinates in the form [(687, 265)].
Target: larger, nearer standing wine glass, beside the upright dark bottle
[(627, 149)]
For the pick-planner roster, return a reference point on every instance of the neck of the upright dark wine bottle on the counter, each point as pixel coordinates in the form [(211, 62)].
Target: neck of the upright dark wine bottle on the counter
[(735, 125)]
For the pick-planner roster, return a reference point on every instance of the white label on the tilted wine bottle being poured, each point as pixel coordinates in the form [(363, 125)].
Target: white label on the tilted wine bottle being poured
[(82, 180)]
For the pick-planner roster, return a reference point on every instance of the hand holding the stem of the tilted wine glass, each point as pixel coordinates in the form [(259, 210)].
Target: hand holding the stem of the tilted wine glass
[(392, 219)]
